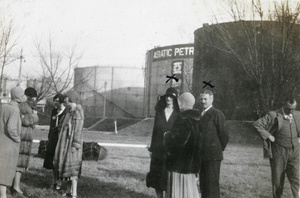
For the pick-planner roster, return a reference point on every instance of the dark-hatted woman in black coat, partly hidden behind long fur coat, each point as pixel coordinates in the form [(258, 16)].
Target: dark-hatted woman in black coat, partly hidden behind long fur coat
[(57, 117)]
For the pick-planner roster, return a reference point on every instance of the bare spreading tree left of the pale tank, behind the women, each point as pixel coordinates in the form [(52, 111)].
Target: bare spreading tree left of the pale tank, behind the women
[(57, 68)]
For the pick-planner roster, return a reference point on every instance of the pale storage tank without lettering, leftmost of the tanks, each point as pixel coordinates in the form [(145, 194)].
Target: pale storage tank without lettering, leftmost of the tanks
[(107, 91)]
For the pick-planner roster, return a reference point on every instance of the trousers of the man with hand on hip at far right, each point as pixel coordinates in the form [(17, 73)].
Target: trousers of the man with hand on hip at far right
[(285, 161)]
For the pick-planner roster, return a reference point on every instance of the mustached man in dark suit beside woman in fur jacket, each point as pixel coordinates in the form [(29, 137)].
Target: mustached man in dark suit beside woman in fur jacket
[(214, 141)]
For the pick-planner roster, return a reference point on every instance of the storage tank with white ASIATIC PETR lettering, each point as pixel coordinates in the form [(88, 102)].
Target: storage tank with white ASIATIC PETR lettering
[(173, 61)]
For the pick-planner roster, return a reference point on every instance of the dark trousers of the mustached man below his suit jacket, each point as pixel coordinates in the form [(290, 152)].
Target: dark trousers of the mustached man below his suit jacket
[(209, 179)]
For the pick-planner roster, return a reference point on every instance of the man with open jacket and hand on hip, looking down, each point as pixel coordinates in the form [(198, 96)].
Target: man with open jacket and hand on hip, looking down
[(280, 131)]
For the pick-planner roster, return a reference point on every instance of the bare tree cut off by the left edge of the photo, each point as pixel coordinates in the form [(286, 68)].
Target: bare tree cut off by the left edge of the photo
[(7, 43)]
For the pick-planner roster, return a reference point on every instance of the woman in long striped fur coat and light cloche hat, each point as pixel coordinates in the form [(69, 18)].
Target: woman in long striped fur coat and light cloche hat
[(68, 153)]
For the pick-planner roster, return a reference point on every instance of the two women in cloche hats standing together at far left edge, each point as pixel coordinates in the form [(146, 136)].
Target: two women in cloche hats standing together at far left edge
[(17, 121)]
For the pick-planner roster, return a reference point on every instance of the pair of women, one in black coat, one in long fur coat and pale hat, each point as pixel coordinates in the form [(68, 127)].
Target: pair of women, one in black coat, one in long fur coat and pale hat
[(65, 142)]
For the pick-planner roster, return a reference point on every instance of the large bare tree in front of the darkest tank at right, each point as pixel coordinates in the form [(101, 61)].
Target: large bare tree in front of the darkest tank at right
[(265, 47)]
